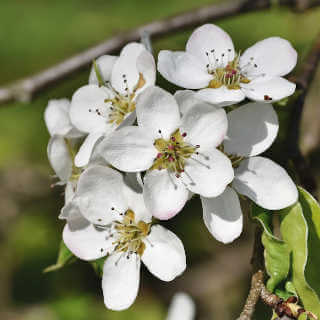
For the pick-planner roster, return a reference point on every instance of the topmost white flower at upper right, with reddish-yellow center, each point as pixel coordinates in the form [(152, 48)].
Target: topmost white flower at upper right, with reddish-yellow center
[(224, 77)]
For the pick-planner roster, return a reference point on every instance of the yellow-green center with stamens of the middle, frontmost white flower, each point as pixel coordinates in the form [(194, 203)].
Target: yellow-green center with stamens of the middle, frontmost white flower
[(173, 153)]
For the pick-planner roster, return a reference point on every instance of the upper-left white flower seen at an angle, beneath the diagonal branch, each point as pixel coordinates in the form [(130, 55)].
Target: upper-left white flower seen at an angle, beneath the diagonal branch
[(100, 107)]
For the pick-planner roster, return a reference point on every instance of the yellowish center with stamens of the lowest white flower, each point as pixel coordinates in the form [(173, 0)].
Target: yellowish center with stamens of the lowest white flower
[(129, 234)]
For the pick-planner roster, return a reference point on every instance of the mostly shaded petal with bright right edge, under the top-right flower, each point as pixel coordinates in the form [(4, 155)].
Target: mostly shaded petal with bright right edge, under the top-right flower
[(252, 129)]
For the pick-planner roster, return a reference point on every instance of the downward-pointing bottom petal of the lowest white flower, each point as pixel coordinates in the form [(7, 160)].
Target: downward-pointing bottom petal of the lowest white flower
[(120, 281)]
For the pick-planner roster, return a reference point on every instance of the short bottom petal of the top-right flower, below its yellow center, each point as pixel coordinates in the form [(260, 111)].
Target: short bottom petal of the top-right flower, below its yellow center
[(221, 97)]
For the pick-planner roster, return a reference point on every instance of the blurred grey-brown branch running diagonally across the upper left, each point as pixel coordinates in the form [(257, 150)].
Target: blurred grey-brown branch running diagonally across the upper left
[(25, 89)]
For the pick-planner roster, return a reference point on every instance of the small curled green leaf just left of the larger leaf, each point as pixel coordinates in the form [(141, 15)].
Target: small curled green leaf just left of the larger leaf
[(277, 260)]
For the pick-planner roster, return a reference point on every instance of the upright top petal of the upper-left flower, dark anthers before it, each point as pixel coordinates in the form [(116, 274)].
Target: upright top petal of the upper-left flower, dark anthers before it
[(126, 65)]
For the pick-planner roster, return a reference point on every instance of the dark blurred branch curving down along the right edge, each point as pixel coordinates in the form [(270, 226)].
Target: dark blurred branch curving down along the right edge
[(303, 81)]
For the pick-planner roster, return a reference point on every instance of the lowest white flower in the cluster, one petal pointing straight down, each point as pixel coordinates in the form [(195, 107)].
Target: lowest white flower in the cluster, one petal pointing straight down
[(106, 217)]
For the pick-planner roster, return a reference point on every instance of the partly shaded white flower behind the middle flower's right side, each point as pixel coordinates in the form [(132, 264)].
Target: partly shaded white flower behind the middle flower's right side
[(252, 129)]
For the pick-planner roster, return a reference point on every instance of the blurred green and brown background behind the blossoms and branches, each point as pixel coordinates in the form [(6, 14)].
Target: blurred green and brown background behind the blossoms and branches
[(36, 34)]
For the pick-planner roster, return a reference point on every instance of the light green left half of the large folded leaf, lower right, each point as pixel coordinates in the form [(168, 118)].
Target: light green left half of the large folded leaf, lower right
[(294, 230)]
